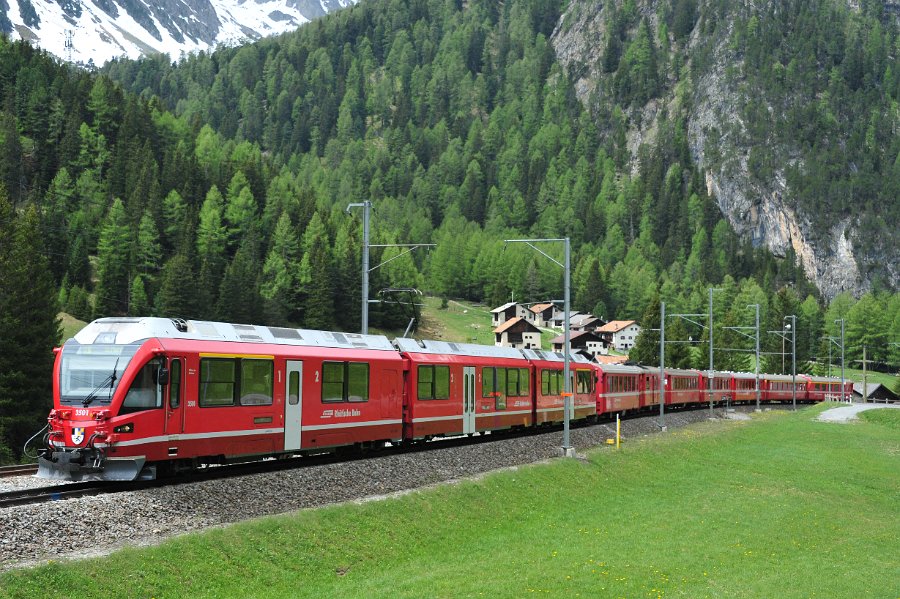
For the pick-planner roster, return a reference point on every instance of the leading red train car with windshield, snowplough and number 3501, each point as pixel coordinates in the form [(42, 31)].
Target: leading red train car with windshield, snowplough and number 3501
[(133, 394)]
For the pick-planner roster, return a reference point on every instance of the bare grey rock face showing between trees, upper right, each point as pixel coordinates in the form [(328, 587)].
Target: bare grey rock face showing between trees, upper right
[(756, 210)]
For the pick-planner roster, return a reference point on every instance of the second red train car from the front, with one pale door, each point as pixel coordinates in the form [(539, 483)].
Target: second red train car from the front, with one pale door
[(462, 388)]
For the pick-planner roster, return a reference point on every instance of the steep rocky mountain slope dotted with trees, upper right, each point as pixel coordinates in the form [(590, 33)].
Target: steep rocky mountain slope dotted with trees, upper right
[(790, 109)]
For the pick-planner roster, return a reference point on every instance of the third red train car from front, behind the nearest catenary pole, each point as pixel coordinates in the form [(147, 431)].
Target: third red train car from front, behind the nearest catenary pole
[(549, 386)]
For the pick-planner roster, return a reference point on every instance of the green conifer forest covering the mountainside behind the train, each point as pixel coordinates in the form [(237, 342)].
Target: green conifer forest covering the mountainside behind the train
[(215, 186)]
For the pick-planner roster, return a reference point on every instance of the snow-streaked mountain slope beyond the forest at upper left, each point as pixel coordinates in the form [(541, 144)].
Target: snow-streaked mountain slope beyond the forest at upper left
[(95, 31)]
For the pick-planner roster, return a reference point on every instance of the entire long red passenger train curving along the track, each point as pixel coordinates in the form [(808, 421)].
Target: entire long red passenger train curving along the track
[(139, 397)]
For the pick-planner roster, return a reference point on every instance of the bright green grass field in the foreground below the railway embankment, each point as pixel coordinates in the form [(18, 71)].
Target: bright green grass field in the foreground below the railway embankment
[(778, 507)]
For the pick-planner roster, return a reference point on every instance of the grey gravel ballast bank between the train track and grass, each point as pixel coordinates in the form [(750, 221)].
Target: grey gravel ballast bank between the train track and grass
[(91, 526)]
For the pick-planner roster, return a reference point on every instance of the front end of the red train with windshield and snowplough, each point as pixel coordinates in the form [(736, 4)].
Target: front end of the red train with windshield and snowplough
[(98, 378)]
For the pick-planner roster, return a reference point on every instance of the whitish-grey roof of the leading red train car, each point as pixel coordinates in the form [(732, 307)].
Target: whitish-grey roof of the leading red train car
[(122, 331)]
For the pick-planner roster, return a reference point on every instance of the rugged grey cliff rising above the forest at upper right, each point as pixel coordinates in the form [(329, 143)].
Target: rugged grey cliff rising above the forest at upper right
[(711, 100)]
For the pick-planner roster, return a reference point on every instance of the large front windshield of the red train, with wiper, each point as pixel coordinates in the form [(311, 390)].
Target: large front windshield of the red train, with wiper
[(89, 374)]
